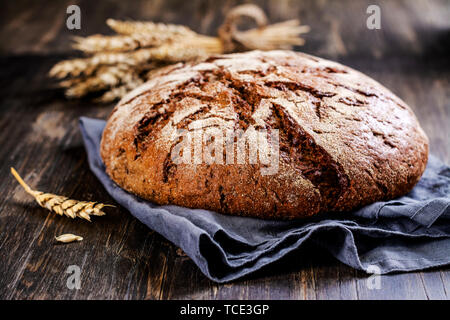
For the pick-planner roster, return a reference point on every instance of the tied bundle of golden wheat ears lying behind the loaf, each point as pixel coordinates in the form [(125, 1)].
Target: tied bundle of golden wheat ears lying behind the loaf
[(119, 63)]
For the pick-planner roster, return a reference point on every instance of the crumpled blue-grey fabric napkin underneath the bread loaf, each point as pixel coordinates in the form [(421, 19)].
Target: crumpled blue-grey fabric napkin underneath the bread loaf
[(409, 233)]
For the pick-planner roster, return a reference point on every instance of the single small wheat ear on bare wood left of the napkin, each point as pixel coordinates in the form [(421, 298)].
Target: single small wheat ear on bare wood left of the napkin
[(62, 205)]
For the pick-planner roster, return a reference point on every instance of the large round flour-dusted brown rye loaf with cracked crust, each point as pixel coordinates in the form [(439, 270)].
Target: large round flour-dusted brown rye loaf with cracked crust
[(345, 140)]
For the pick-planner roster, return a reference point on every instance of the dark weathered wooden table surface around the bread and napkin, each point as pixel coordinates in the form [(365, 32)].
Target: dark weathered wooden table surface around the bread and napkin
[(120, 258)]
